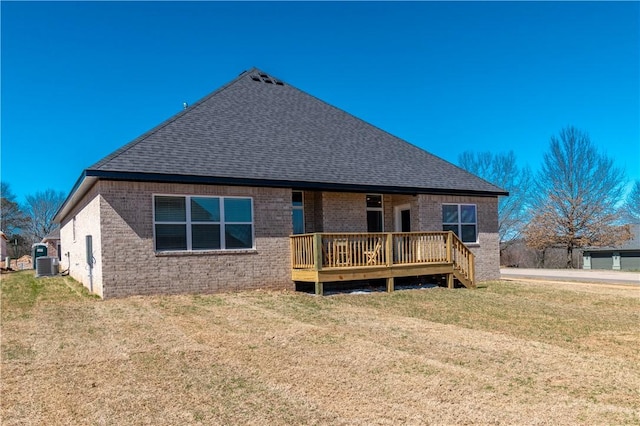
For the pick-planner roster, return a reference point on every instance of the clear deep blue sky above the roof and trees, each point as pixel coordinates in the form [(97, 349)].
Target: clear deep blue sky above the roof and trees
[(79, 80)]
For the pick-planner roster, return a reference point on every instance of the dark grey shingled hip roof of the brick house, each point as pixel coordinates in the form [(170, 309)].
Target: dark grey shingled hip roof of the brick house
[(259, 129)]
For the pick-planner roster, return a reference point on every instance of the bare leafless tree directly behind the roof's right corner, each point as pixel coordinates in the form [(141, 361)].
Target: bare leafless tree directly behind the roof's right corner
[(502, 170)]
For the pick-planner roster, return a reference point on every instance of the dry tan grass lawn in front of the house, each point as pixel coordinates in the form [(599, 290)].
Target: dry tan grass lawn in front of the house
[(506, 353)]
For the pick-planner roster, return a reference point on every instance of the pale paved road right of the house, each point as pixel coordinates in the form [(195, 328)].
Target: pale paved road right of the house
[(584, 275)]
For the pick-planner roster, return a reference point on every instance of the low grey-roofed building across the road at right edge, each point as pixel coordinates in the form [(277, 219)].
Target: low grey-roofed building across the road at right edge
[(625, 257)]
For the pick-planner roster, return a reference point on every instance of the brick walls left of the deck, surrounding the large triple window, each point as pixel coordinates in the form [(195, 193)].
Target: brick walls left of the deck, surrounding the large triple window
[(127, 264)]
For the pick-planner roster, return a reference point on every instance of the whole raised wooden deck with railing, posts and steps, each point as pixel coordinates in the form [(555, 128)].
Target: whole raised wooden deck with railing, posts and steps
[(330, 257)]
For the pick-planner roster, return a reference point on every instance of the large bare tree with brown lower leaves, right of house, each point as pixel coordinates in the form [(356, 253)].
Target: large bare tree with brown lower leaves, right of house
[(575, 198)]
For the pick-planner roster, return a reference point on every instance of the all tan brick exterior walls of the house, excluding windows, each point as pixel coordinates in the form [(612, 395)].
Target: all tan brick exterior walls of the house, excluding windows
[(119, 216)]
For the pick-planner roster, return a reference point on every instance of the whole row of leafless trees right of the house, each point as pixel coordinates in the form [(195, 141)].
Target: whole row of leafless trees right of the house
[(575, 200)]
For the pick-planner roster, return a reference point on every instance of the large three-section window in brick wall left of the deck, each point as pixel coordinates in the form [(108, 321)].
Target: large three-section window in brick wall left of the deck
[(202, 223)]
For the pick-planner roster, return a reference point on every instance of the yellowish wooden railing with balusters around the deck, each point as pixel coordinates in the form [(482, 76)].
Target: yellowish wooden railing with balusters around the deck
[(321, 251)]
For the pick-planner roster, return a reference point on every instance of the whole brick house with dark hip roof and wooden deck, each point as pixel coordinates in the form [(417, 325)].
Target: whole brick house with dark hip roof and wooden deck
[(260, 185)]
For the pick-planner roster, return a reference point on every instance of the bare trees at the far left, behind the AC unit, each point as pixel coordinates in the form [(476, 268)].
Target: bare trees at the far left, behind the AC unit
[(28, 223)]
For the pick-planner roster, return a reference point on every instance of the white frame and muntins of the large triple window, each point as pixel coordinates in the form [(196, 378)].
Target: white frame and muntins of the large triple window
[(189, 222)]
